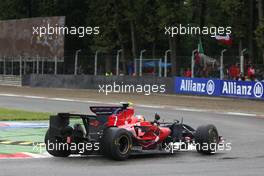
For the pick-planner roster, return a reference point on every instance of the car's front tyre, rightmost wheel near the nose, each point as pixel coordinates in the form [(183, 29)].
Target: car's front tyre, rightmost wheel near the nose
[(206, 138)]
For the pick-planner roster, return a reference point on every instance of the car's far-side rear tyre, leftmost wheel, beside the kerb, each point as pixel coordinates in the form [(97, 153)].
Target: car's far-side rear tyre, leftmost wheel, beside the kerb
[(56, 146)]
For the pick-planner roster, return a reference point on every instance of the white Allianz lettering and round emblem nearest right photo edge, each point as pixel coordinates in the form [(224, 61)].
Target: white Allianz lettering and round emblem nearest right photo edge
[(232, 88)]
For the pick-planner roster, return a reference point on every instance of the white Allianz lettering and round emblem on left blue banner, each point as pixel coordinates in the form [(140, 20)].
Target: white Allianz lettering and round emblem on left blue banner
[(200, 87)]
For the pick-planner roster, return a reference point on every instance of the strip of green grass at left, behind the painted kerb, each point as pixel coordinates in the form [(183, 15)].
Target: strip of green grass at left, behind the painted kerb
[(14, 114)]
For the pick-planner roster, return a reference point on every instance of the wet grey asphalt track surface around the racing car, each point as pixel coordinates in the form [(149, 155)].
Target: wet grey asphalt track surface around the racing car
[(245, 133)]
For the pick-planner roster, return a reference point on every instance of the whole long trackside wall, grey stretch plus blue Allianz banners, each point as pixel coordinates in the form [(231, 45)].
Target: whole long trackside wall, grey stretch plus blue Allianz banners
[(178, 85)]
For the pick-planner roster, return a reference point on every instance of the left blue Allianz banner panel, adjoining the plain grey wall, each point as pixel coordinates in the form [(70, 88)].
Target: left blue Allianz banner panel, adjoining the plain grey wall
[(198, 86)]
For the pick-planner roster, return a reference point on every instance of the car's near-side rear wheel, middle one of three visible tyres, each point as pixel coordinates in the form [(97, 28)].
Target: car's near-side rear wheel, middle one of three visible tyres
[(117, 143)]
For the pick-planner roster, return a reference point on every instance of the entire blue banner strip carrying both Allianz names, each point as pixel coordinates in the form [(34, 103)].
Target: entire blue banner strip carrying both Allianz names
[(215, 87)]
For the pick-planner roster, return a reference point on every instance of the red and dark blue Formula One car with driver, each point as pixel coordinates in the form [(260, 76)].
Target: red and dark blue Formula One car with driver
[(116, 132)]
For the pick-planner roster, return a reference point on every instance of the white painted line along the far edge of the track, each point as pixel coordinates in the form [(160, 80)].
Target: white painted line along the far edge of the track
[(138, 105)]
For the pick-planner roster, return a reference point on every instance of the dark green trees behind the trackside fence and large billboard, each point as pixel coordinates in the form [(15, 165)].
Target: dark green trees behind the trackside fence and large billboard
[(132, 25)]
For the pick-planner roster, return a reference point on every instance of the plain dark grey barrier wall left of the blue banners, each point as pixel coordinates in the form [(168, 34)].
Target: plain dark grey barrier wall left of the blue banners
[(93, 82)]
